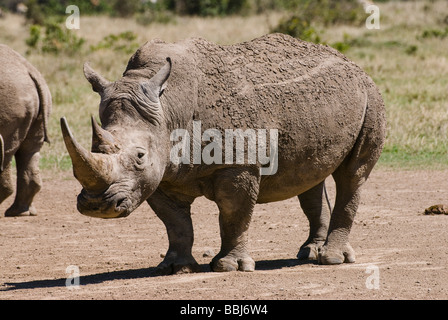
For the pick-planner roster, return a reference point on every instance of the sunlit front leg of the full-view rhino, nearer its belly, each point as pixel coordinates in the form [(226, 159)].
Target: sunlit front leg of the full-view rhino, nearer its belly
[(236, 191)]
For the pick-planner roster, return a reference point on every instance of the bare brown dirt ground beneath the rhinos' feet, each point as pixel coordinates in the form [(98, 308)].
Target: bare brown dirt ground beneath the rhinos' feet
[(401, 253)]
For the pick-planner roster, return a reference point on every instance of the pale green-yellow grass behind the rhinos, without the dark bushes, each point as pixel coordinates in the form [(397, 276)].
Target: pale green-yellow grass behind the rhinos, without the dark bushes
[(407, 58)]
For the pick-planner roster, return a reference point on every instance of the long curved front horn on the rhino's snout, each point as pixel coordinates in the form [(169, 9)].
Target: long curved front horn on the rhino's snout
[(92, 170)]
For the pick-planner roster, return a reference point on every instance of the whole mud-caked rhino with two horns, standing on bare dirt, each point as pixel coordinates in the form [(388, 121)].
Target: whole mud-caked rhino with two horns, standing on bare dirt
[(329, 115)]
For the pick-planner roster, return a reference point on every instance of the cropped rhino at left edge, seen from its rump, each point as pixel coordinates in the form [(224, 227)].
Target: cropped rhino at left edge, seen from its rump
[(25, 105)]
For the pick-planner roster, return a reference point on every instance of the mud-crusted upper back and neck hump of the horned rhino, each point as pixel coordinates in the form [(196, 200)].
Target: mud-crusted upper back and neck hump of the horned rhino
[(259, 83)]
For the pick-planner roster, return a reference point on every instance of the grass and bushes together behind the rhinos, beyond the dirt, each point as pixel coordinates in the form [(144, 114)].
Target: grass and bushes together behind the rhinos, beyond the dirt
[(407, 57)]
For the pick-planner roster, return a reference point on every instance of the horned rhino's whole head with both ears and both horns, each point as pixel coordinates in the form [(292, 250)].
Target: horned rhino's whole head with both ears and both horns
[(127, 159)]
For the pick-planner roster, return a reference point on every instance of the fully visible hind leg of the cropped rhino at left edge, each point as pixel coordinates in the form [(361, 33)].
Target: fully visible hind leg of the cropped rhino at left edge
[(29, 183)]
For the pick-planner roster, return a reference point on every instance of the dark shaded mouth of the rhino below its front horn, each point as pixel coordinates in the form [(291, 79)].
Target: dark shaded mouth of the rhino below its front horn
[(103, 206)]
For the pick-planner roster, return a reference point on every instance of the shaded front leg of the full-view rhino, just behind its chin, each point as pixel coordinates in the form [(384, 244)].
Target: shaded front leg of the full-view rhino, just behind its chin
[(176, 216)]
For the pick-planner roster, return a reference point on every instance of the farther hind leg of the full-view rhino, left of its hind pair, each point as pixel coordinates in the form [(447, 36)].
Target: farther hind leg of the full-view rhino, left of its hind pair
[(314, 205)]
